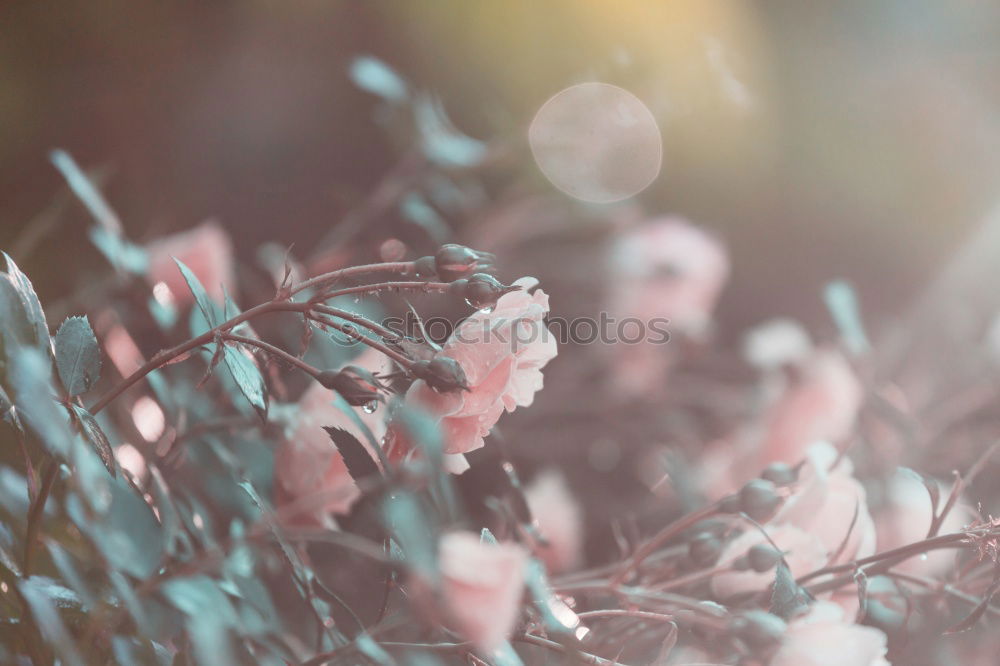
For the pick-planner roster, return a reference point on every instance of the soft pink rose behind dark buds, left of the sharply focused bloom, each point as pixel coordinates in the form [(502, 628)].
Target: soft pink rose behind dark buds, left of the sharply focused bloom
[(310, 478)]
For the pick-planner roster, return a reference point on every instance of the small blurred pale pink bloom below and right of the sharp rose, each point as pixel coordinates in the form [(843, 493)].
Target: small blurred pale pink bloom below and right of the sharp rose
[(558, 519)]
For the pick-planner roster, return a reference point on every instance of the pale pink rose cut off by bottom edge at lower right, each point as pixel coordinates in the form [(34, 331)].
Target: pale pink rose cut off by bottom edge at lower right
[(823, 638)]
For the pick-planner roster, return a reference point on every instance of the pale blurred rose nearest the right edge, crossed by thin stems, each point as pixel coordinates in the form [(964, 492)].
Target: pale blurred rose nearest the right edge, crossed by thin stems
[(905, 517)]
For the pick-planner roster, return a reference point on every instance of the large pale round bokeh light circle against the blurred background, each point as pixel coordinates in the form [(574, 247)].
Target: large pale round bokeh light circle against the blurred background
[(597, 142)]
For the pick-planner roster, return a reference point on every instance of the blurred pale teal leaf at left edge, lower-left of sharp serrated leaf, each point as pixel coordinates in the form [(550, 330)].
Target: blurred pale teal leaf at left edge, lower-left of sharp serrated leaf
[(31, 379)]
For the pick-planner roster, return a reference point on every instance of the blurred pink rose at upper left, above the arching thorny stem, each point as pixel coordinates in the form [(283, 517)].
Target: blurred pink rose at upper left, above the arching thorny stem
[(205, 249)]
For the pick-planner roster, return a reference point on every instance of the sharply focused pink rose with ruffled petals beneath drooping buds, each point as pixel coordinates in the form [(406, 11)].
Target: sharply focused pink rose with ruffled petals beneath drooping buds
[(502, 354)]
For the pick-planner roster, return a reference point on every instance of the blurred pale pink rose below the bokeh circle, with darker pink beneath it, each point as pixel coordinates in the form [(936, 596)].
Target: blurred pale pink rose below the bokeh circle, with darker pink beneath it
[(665, 268)]
